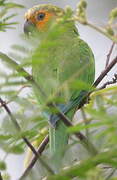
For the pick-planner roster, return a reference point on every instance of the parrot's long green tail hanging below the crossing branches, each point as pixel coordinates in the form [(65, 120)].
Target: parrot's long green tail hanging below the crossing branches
[(58, 141)]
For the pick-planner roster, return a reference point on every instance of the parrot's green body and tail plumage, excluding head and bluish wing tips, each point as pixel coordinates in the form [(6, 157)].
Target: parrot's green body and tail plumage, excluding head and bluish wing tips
[(60, 61)]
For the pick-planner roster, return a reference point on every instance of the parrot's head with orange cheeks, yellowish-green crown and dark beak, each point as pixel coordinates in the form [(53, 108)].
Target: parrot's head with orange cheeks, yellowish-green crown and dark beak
[(41, 17)]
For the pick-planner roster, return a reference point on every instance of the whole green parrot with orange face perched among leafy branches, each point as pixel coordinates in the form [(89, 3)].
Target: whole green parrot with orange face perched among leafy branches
[(62, 65)]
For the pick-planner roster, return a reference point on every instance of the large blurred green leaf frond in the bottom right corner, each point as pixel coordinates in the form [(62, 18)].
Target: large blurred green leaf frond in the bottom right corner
[(81, 170)]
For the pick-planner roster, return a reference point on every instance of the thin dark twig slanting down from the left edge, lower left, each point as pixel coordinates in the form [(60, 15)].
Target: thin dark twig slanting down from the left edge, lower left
[(24, 138)]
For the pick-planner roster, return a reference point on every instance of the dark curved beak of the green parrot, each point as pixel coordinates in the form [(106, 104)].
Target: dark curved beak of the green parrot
[(28, 27)]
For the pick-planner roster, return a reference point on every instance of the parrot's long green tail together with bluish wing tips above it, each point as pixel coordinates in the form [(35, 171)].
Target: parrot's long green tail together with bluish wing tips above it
[(58, 133)]
